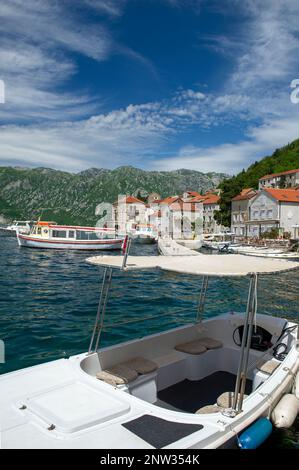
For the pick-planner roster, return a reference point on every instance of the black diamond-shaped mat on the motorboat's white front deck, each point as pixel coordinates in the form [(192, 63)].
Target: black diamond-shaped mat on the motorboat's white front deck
[(159, 432)]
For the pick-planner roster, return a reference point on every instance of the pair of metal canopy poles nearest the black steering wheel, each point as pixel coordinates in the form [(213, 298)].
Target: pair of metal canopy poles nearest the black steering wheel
[(245, 346)]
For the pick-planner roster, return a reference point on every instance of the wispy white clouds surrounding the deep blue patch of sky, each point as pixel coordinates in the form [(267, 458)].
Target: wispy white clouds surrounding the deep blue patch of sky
[(35, 58)]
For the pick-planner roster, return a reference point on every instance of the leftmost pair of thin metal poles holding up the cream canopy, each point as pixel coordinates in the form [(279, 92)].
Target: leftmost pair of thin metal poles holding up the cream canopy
[(99, 321)]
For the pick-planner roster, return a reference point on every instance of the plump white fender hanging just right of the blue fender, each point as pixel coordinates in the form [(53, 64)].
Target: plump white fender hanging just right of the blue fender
[(285, 412)]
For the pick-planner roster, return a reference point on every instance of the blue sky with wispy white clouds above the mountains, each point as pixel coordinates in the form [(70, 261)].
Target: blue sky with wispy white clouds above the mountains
[(156, 84)]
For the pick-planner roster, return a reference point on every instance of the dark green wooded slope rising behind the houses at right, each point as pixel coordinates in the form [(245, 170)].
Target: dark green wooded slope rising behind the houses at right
[(286, 158)]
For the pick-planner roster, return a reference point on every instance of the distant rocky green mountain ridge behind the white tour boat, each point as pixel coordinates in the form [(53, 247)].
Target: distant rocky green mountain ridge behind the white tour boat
[(72, 198)]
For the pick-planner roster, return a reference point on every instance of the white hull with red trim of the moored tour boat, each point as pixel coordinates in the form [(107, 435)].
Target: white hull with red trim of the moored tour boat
[(107, 244)]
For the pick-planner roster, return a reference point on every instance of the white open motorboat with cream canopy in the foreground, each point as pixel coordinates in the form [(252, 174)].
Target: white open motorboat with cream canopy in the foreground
[(193, 387)]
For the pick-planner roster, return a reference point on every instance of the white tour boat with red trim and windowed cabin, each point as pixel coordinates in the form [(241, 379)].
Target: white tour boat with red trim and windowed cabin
[(68, 237)]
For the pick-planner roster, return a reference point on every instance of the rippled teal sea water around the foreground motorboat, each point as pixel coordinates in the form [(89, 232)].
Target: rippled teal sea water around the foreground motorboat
[(48, 302)]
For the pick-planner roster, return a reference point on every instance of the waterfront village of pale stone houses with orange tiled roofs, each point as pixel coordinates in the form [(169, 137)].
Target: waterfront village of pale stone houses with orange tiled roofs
[(270, 211)]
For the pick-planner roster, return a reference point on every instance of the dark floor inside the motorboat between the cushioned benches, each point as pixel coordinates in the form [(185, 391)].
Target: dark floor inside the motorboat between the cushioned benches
[(189, 395)]
